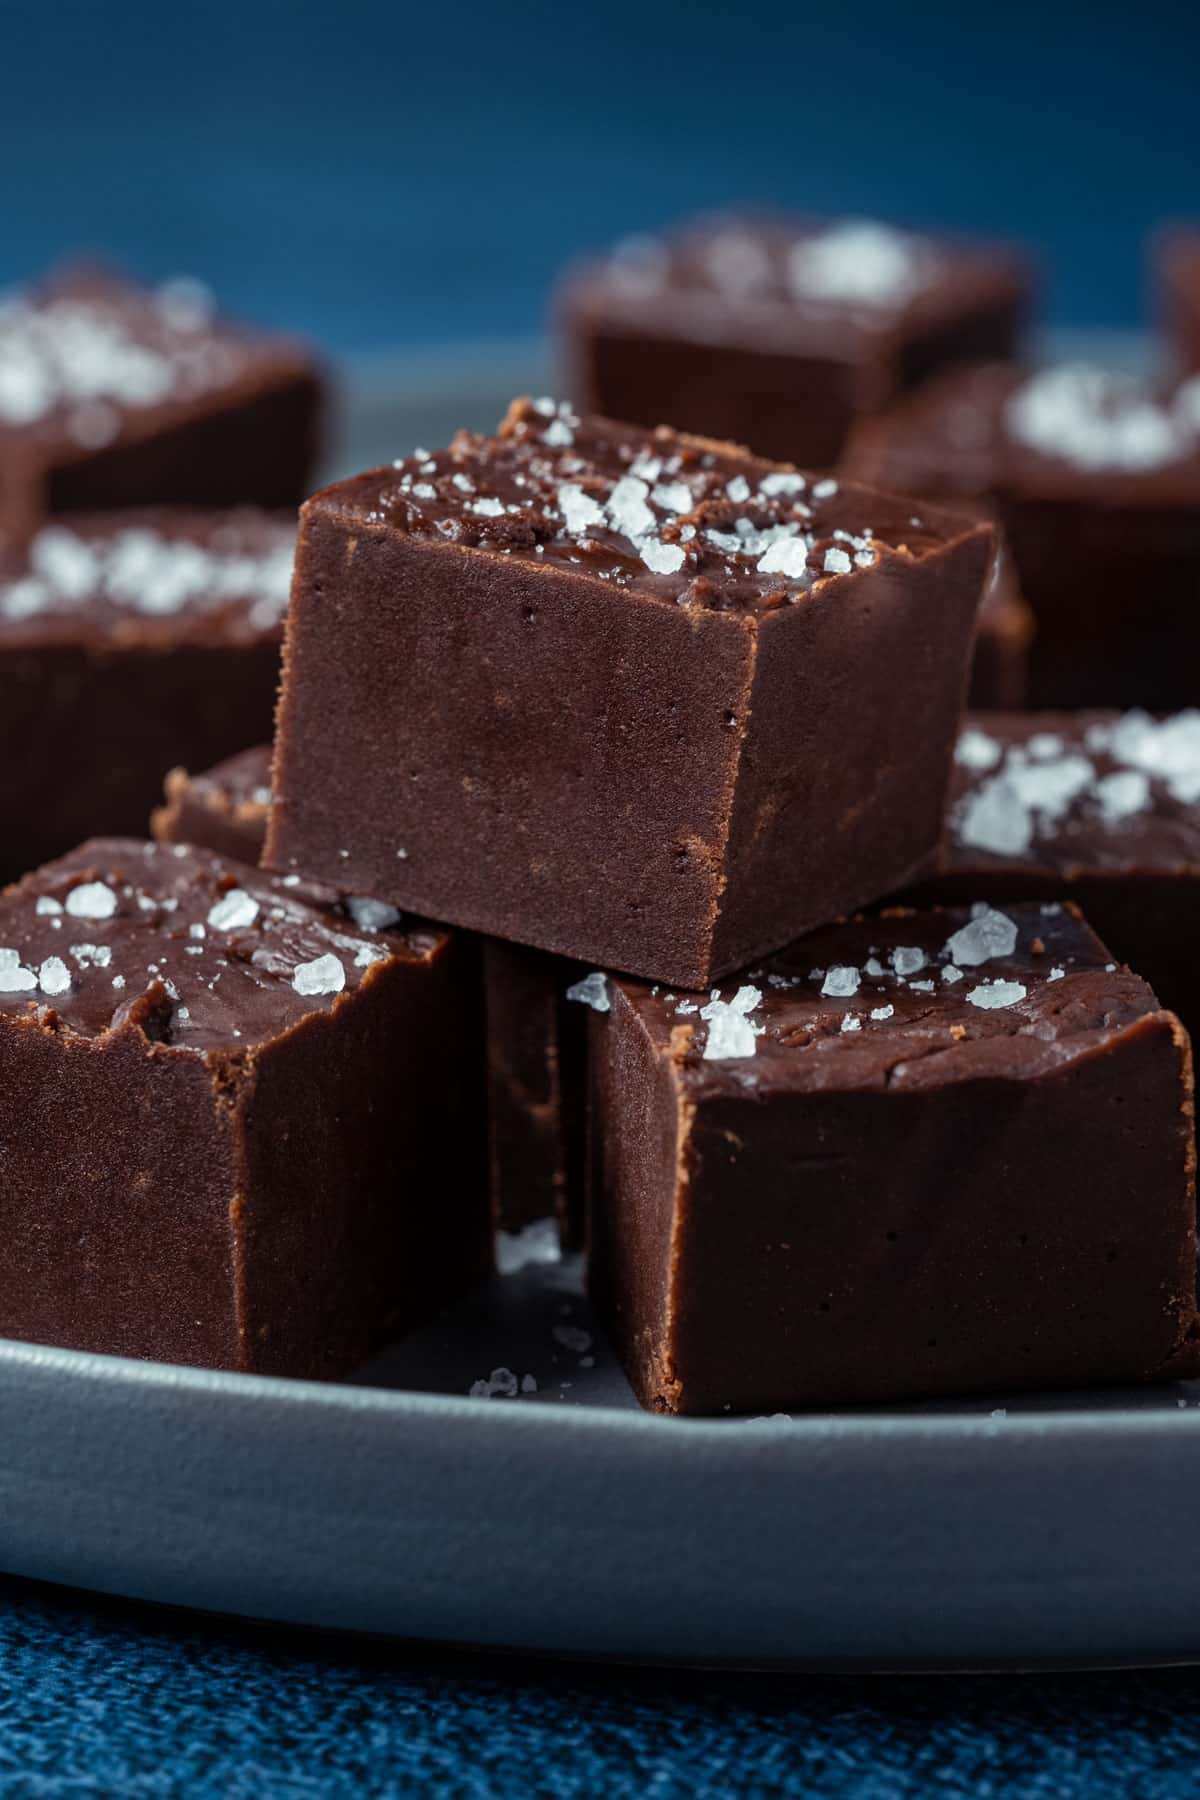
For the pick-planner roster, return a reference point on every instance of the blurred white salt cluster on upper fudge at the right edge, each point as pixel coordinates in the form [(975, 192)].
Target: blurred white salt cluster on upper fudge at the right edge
[(1102, 420)]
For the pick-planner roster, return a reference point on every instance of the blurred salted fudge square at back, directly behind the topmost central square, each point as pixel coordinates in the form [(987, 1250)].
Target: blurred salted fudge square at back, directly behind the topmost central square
[(780, 334)]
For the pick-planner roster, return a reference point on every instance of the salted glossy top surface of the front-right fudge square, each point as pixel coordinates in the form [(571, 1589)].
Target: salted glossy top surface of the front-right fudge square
[(902, 1002)]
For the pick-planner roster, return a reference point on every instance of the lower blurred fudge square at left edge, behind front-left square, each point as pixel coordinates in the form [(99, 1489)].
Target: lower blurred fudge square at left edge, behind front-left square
[(129, 643)]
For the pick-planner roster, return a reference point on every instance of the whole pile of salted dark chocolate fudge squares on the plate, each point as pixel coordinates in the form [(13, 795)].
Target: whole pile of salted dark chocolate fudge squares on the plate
[(625, 854)]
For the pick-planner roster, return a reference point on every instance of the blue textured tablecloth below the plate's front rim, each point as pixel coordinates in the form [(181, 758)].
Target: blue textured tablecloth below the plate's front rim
[(103, 1698)]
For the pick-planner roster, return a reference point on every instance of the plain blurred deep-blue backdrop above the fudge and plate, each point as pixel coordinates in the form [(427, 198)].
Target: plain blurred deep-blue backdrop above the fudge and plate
[(395, 174)]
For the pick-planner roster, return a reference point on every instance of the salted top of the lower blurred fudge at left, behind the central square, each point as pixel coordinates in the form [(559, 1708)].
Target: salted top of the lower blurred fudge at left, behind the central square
[(163, 575)]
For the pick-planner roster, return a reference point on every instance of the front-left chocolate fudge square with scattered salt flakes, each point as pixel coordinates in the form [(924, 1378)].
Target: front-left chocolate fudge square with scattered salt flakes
[(238, 1131)]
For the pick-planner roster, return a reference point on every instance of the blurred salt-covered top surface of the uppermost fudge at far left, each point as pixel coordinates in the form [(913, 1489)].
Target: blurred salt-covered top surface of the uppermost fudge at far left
[(87, 354)]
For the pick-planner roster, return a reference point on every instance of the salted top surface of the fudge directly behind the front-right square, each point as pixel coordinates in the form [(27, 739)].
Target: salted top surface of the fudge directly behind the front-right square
[(1073, 793)]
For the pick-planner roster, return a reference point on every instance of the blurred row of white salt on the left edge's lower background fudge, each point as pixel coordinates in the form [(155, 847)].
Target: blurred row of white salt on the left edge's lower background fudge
[(152, 573)]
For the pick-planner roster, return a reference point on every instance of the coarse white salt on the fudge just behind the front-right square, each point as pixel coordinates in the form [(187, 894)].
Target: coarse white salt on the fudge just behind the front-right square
[(1028, 789)]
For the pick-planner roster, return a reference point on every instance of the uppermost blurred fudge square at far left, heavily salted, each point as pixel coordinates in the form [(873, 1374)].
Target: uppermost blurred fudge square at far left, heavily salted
[(114, 395)]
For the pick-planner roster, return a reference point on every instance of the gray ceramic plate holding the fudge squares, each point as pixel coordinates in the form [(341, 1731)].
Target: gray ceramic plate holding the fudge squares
[(564, 1518)]
